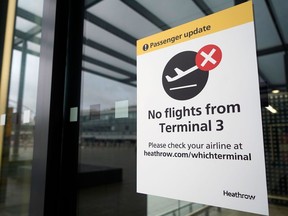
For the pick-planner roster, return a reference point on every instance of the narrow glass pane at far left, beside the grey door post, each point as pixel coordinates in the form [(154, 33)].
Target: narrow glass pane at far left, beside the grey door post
[(17, 143)]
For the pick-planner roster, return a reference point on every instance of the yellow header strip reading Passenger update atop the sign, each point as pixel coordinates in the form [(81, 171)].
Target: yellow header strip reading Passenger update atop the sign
[(207, 25)]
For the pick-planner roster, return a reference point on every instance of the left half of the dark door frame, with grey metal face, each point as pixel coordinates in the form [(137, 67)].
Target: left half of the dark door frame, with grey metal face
[(49, 114)]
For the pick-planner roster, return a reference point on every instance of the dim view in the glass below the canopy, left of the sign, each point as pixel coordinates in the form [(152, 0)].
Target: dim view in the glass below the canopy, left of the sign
[(107, 165)]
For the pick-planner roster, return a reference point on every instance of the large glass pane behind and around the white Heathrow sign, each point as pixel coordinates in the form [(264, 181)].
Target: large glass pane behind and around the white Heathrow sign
[(107, 146)]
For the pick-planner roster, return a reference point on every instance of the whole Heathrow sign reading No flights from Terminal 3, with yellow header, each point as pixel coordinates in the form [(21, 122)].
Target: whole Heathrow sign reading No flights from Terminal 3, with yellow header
[(199, 129)]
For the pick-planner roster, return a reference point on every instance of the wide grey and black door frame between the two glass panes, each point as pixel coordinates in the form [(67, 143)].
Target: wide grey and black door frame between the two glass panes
[(55, 155)]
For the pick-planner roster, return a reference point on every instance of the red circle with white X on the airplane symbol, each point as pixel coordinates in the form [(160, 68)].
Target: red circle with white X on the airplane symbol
[(208, 57)]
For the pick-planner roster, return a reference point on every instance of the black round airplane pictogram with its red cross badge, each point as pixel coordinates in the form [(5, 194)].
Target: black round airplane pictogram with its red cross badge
[(186, 74)]
